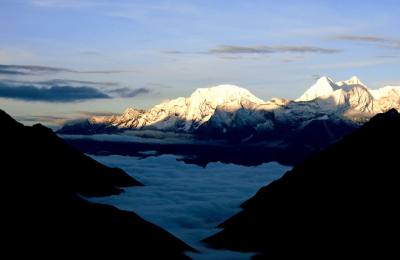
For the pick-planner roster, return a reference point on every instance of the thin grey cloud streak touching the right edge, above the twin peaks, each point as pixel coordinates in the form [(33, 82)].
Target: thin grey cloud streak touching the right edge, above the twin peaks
[(377, 40)]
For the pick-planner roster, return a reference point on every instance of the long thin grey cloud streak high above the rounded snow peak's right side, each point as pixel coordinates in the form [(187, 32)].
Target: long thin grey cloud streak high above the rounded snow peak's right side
[(264, 49)]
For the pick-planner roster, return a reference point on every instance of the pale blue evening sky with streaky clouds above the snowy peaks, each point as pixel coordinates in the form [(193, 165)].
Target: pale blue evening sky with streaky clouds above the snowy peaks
[(63, 59)]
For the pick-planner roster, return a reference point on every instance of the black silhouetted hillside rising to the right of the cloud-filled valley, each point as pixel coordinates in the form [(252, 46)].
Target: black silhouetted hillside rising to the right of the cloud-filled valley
[(340, 202)]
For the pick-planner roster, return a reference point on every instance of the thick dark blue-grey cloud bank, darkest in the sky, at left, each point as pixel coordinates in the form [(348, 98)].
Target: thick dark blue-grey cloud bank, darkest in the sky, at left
[(50, 94)]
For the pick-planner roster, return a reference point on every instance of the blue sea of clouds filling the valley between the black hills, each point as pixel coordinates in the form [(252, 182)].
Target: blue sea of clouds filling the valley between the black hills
[(187, 200)]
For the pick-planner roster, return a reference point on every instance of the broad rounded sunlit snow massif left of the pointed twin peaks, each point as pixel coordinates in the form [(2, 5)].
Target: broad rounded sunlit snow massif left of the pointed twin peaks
[(186, 114)]
